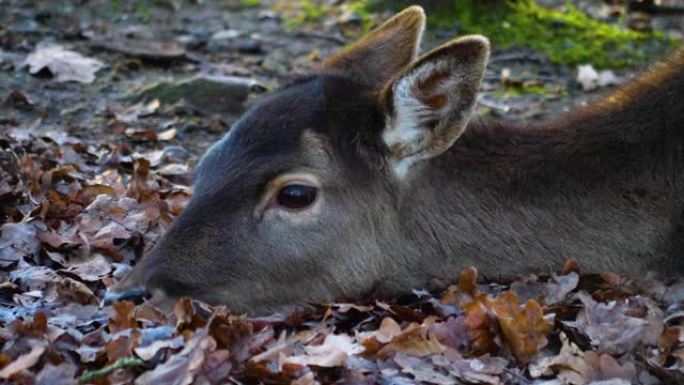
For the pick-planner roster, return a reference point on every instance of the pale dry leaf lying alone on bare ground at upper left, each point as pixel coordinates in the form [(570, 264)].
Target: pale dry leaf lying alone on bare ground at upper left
[(65, 65)]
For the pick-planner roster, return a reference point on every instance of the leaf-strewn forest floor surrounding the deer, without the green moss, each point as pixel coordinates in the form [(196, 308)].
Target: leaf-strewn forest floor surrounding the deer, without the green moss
[(105, 107)]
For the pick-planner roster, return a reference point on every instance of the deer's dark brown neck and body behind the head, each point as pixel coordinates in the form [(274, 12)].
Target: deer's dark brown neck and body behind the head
[(603, 185)]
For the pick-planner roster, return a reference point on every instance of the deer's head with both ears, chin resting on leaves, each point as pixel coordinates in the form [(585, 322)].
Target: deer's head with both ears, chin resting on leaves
[(302, 199)]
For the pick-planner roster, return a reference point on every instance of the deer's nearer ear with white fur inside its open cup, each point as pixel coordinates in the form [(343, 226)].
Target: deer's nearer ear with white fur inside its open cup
[(429, 104)]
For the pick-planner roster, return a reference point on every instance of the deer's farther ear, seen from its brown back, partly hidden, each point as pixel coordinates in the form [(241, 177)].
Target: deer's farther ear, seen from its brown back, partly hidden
[(384, 51)]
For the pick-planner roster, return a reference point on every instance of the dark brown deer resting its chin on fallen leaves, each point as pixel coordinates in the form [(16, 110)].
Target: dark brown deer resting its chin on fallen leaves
[(371, 176)]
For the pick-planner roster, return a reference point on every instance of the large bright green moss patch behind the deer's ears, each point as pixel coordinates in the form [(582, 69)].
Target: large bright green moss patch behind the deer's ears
[(567, 37)]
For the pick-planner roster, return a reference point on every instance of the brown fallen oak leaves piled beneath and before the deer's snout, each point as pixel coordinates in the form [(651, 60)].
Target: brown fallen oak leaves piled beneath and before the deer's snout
[(76, 216)]
